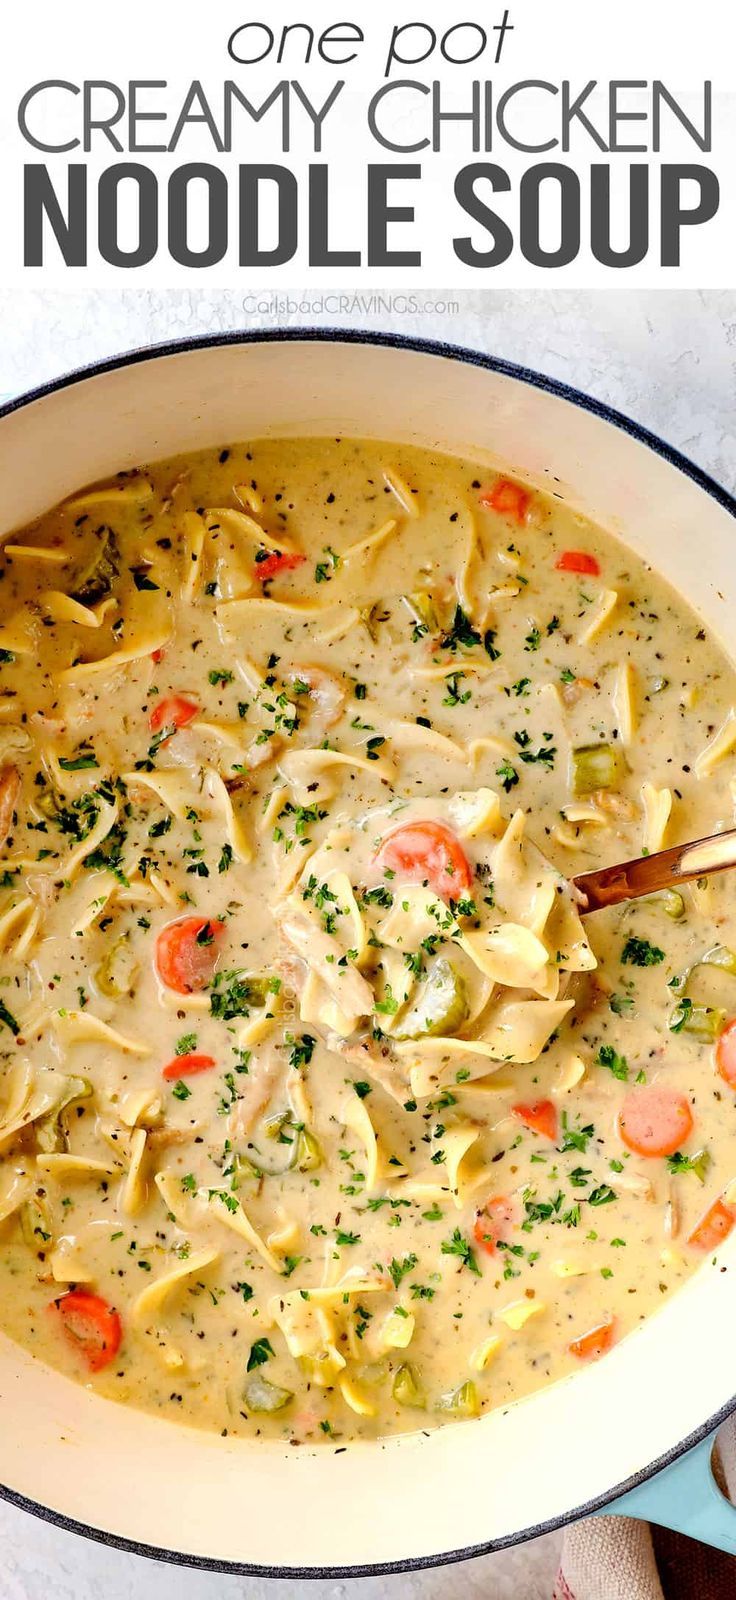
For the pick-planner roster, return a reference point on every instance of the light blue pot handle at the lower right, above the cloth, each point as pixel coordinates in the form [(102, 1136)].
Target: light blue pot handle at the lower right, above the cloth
[(684, 1497)]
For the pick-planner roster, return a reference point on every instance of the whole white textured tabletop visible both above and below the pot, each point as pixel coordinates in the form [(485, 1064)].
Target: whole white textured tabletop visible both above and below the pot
[(670, 361)]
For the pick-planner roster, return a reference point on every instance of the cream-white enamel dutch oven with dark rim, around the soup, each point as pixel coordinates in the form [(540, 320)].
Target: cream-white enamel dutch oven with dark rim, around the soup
[(167, 1490)]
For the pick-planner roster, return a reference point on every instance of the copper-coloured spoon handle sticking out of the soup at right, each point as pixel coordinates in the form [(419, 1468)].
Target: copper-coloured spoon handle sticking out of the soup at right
[(666, 870)]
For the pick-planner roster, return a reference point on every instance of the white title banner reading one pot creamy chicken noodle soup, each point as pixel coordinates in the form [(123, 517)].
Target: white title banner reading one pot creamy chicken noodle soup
[(583, 143)]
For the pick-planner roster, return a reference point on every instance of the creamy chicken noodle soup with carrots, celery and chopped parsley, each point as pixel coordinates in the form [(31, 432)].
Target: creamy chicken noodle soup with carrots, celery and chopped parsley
[(324, 1113)]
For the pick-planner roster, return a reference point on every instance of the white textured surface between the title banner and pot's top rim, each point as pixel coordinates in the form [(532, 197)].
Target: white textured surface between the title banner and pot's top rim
[(668, 358)]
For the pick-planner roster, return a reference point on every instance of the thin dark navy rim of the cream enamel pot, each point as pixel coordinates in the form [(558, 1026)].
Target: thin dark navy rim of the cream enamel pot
[(710, 486)]
